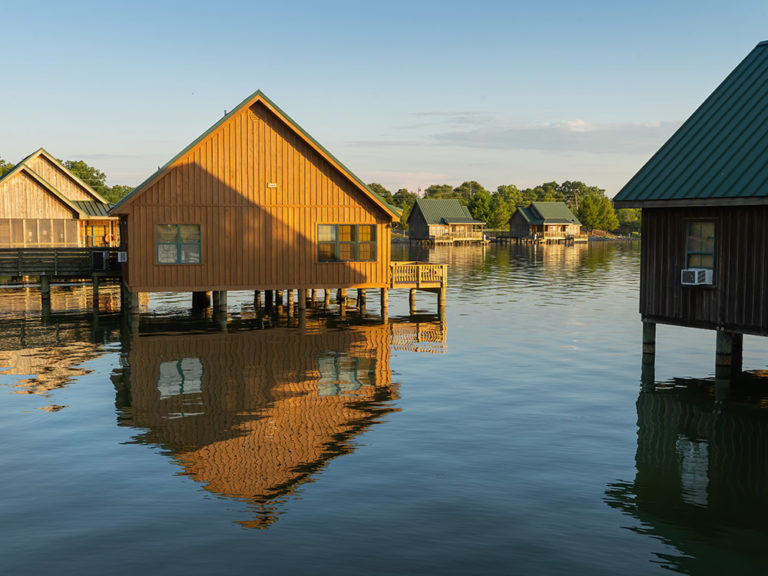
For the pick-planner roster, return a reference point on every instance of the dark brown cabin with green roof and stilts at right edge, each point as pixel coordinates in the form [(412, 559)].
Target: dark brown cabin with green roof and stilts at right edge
[(704, 200)]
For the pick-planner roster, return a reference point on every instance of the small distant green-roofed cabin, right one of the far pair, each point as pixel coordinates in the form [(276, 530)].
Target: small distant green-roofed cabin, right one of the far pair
[(545, 221)]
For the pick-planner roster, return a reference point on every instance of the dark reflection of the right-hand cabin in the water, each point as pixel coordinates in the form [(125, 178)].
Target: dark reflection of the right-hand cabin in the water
[(701, 485)]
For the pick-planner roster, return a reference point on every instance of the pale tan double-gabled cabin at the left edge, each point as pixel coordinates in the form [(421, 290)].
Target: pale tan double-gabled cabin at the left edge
[(43, 205)]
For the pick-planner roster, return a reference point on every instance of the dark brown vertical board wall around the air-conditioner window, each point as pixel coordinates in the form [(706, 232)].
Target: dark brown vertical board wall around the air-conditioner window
[(738, 300)]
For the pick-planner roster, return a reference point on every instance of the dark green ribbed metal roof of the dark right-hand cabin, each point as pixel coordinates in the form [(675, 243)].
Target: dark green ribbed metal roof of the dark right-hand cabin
[(719, 156)]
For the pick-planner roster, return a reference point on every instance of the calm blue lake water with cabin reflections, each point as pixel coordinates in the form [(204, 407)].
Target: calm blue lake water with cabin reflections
[(512, 438)]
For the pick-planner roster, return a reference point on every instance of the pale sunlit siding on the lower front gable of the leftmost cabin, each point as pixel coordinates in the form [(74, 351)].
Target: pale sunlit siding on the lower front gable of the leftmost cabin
[(21, 196)]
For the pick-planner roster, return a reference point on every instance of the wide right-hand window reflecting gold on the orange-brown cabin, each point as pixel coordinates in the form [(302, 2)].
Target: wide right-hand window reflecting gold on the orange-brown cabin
[(346, 242)]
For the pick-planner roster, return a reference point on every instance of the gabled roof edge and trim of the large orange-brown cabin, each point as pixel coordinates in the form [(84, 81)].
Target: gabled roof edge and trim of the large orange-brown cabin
[(259, 96)]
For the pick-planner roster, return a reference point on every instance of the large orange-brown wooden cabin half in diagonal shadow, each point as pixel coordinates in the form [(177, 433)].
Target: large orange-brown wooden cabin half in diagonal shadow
[(255, 203)]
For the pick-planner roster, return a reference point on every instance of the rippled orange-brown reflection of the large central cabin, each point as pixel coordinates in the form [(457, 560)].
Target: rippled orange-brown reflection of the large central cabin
[(252, 415)]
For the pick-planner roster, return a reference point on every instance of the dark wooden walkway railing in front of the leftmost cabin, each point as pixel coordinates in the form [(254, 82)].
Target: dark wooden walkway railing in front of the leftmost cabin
[(72, 262)]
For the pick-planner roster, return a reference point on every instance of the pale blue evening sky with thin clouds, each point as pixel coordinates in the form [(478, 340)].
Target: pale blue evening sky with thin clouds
[(404, 93)]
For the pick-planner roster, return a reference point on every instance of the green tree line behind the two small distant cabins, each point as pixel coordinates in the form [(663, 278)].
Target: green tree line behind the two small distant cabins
[(589, 203)]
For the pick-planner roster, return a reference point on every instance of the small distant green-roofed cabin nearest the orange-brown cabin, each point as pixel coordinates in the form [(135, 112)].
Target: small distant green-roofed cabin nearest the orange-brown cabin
[(443, 221)]
